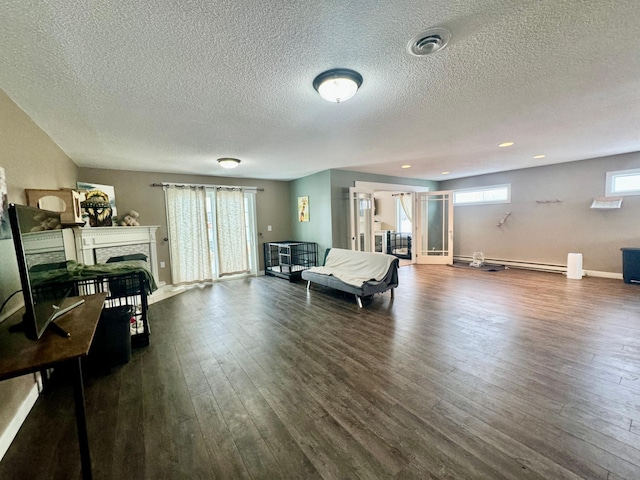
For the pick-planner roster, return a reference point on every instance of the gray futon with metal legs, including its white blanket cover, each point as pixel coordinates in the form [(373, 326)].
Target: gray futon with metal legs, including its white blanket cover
[(360, 273)]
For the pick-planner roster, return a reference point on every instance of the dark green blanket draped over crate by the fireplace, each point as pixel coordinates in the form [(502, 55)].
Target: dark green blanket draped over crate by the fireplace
[(80, 271)]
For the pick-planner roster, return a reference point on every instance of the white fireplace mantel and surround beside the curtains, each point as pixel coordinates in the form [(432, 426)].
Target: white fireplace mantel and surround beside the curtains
[(92, 242)]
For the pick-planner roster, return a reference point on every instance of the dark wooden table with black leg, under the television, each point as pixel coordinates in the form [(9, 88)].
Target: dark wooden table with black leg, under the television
[(20, 356)]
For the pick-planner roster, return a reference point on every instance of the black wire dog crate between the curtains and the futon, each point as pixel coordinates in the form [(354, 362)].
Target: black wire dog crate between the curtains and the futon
[(287, 259)]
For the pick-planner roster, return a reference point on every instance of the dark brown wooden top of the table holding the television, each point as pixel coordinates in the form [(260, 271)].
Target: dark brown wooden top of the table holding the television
[(19, 355)]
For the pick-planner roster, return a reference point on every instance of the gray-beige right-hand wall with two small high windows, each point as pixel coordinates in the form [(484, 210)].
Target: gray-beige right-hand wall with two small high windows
[(547, 232)]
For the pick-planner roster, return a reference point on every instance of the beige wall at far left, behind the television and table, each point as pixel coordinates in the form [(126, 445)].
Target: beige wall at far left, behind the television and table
[(31, 160)]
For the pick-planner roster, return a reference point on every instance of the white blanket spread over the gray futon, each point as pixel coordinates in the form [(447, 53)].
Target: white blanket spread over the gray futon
[(355, 268)]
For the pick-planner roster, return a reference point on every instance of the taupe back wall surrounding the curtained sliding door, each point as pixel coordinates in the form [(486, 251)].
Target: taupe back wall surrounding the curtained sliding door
[(134, 192)]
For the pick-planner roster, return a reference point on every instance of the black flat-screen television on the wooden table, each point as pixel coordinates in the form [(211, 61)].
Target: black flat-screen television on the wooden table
[(39, 244)]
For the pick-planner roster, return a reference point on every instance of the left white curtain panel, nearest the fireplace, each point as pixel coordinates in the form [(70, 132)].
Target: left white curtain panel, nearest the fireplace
[(188, 236)]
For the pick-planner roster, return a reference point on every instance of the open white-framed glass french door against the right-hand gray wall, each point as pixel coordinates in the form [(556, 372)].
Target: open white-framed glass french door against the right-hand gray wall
[(434, 228)]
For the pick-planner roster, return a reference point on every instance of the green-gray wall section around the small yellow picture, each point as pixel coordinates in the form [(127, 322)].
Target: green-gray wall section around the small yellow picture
[(318, 229)]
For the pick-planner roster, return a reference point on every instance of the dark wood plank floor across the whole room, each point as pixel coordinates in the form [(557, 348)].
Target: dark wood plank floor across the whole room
[(466, 374)]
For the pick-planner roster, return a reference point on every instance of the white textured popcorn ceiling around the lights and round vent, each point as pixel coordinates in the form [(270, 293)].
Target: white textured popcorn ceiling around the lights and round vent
[(171, 85)]
